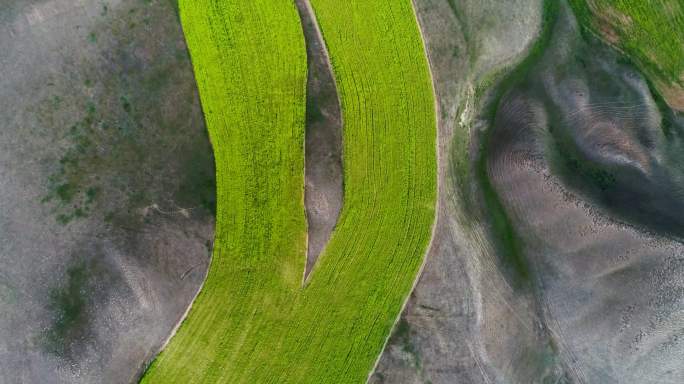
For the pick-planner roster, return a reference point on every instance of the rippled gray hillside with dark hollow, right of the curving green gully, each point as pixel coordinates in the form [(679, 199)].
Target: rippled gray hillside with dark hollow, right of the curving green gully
[(589, 169)]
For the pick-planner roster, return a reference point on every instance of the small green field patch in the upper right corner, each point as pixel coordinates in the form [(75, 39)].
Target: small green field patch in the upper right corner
[(649, 31)]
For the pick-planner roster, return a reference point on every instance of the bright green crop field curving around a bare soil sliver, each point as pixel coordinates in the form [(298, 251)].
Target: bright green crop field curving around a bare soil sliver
[(254, 322)]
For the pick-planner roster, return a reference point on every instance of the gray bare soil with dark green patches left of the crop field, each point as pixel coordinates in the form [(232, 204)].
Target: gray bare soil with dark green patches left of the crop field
[(106, 187)]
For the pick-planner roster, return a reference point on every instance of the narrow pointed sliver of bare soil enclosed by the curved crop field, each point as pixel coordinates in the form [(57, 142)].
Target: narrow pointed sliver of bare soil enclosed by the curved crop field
[(324, 175)]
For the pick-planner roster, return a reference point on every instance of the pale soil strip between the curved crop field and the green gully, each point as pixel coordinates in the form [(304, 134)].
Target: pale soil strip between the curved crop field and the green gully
[(464, 323)]
